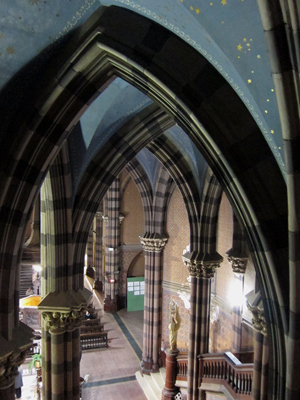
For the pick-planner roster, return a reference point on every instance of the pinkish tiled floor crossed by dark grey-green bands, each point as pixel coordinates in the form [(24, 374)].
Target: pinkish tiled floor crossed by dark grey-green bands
[(110, 373)]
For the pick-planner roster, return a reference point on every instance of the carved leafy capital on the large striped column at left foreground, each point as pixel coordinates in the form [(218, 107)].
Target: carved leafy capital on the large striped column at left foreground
[(59, 322)]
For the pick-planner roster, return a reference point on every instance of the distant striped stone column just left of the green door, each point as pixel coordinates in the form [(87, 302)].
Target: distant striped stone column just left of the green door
[(112, 247)]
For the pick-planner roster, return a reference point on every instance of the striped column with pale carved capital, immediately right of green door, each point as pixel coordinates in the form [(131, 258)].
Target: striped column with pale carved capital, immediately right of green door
[(153, 246)]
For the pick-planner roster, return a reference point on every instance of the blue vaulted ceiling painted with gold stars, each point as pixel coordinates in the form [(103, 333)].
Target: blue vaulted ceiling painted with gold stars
[(228, 33)]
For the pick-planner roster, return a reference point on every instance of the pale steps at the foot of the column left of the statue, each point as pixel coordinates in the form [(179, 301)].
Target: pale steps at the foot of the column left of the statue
[(152, 384)]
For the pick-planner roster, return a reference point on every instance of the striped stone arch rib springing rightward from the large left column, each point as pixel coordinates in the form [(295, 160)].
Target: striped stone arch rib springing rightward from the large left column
[(108, 163)]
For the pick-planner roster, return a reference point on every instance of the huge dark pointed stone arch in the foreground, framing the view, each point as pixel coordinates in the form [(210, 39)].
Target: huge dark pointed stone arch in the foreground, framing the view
[(200, 100)]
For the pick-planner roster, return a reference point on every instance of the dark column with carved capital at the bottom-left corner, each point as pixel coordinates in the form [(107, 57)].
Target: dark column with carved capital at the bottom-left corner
[(12, 354)]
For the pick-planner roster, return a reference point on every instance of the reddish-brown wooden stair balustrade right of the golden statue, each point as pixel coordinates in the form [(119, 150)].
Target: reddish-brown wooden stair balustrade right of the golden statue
[(221, 369)]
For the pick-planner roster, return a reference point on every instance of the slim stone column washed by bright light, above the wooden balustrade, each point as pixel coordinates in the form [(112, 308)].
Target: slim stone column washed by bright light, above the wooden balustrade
[(239, 268)]
